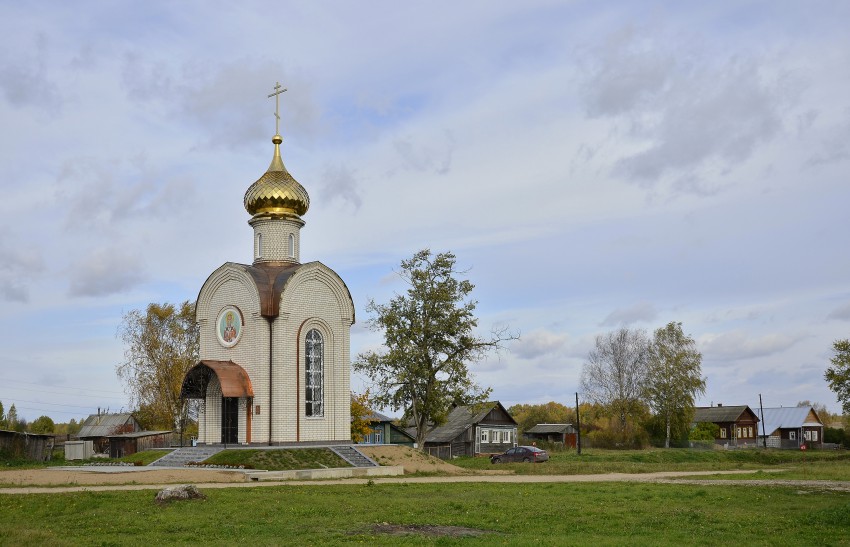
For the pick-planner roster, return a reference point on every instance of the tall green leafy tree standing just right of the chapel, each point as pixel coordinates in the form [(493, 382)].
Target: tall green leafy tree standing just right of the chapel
[(429, 341)]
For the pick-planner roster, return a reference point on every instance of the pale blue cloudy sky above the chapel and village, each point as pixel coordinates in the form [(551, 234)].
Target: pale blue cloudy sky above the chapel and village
[(591, 164)]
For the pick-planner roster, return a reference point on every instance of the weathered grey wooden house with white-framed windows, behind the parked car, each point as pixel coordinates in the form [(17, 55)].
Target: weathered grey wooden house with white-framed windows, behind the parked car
[(485, 428)]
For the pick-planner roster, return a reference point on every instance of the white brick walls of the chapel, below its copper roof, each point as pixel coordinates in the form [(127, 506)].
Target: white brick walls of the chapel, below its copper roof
[(314, 297)]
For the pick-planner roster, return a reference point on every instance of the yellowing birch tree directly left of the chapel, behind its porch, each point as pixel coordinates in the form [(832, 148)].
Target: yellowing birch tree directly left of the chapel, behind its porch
[(161, 345)]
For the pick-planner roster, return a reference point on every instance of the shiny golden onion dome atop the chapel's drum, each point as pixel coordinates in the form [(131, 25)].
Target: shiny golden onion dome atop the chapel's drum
[(276, 192)]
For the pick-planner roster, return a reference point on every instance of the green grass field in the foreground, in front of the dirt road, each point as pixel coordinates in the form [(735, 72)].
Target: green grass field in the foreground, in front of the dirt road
[(507, 514)]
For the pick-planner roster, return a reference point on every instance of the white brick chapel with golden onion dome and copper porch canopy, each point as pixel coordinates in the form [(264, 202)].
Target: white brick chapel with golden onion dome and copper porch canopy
[(274, 349)]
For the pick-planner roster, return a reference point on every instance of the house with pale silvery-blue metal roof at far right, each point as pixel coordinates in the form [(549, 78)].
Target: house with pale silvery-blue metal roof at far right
[(790, 427)]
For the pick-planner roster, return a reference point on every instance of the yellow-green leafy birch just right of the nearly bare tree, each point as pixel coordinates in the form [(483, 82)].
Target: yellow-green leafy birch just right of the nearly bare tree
[(673, 379)]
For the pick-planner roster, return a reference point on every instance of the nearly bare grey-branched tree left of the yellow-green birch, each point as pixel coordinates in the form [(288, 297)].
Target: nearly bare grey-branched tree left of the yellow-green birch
[(614, 375)]
